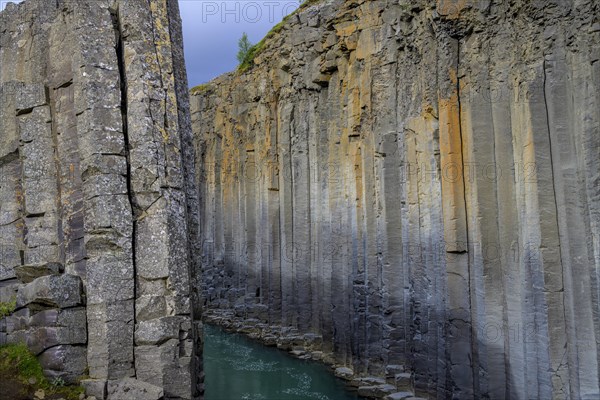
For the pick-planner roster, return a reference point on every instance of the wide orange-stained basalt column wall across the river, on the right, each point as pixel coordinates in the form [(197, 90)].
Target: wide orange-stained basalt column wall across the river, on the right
[(419, 183)]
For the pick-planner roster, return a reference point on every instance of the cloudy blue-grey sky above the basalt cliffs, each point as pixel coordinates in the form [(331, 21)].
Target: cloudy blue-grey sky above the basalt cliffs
[(212, 28)]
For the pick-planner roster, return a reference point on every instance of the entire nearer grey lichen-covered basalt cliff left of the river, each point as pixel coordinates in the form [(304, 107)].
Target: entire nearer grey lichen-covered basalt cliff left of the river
[(98, 213)]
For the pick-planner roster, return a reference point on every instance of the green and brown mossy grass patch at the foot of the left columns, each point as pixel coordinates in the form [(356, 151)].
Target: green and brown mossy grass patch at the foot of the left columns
[(21, 376)]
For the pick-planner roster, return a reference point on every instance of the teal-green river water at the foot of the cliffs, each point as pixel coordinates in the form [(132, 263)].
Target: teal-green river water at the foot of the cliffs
[(238, 368)]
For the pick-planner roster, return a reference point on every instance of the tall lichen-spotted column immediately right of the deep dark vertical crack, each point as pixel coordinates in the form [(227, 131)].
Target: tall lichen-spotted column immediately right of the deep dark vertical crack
[(157, 194)]
